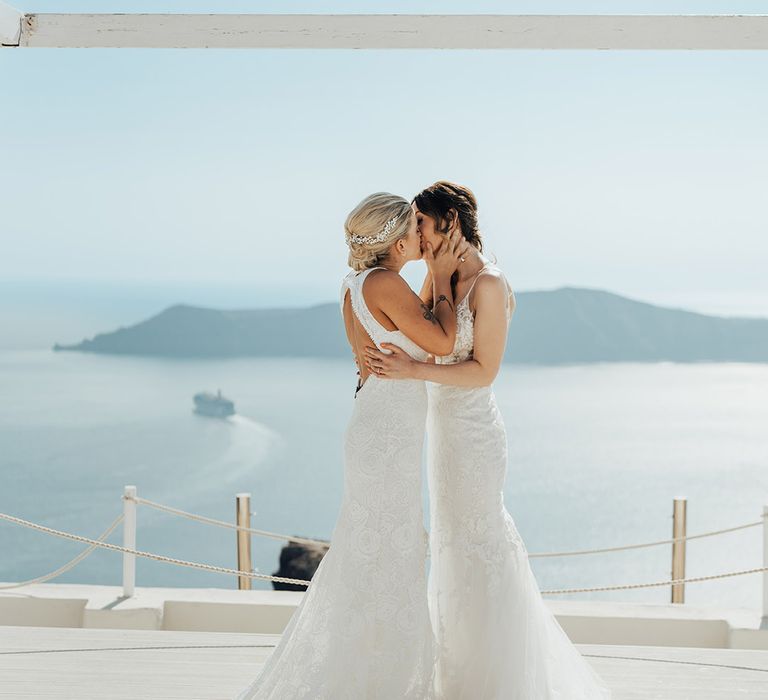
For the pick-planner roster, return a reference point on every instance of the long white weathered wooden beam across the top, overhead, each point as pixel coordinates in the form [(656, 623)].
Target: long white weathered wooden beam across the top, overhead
[(617, 32)]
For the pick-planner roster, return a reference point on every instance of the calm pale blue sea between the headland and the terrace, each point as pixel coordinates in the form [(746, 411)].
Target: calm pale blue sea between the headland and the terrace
[(597, 453)]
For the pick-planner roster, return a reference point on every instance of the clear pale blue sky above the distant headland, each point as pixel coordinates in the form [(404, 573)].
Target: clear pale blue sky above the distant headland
[(644, 173)]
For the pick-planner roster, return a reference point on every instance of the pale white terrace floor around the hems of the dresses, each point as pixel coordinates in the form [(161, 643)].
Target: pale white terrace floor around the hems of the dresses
[(86, 664)]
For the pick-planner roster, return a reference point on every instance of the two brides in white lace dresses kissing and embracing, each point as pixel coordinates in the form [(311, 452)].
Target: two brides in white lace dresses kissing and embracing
[(375, 624)]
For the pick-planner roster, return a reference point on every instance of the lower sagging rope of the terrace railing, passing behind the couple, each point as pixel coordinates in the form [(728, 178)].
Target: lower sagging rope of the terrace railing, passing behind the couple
[(265, 577)]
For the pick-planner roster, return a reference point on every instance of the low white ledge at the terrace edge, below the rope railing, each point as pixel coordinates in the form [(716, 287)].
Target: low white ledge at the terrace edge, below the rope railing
[(267, 612)]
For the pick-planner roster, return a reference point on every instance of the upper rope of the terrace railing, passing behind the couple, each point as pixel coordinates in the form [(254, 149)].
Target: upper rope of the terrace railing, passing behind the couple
[(532, 555)]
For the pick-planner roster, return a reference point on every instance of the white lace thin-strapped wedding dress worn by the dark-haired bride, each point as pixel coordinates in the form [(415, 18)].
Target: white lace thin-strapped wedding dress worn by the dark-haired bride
[(496, 638)]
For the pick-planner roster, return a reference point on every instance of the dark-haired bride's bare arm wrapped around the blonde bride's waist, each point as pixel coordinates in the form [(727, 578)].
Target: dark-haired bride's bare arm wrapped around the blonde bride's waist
[(492, 297)]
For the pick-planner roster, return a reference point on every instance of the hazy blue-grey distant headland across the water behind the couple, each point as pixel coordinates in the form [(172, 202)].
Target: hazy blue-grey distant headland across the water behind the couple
[(562, 326)]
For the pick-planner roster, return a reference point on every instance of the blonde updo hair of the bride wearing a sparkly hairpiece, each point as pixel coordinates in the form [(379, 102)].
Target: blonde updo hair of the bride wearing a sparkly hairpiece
[(368, 219)]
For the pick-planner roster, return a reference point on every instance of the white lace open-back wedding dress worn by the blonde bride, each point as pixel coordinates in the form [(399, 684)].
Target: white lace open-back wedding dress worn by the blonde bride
[(362, 630)]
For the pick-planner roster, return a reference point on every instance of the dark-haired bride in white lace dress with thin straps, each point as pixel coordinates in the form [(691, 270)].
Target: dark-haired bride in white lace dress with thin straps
[(496, 638)]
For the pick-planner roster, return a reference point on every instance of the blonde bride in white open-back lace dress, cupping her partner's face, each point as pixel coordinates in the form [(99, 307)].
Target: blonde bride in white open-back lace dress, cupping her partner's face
[(362, 630)]
